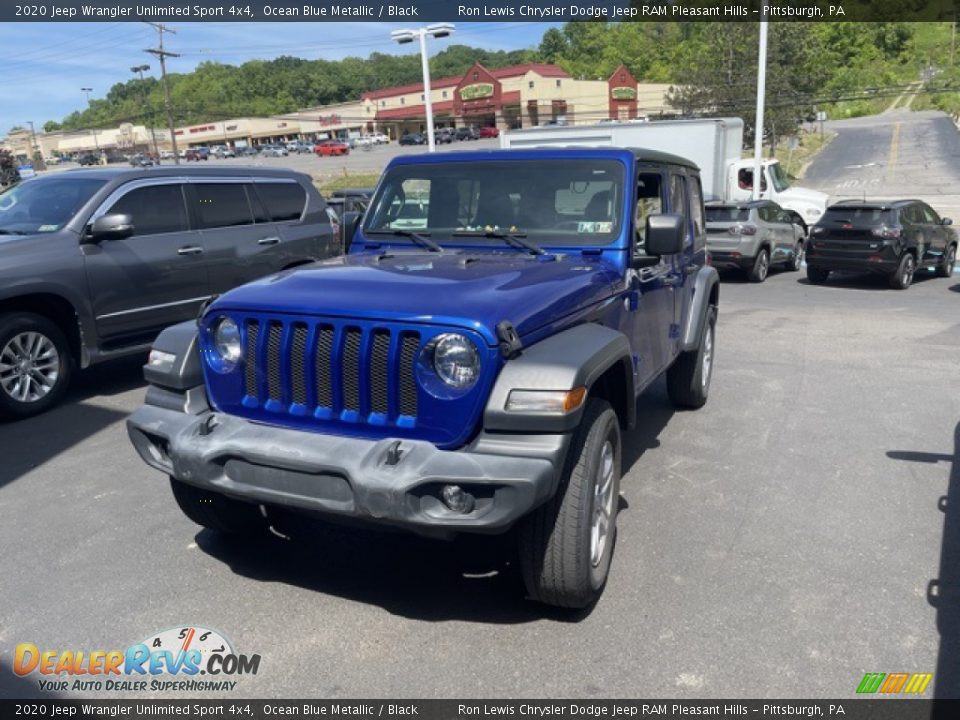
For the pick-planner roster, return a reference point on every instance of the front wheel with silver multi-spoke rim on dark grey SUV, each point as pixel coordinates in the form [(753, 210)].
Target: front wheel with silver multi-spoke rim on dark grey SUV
[(47, 361)]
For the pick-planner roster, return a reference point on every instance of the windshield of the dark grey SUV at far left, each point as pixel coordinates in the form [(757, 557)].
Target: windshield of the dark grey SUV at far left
[(44, 205)]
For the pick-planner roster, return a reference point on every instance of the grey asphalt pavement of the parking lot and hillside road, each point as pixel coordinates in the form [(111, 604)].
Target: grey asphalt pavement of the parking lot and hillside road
[(800, 530)]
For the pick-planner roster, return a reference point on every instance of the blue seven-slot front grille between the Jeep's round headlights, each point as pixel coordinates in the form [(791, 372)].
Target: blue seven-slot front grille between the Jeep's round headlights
[(331, 370)]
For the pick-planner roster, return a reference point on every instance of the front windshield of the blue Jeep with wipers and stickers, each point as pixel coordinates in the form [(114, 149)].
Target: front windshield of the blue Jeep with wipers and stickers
[(551, 202)]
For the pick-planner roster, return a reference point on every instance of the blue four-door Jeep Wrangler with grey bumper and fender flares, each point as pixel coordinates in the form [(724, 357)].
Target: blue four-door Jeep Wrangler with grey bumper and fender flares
[(467, 367)]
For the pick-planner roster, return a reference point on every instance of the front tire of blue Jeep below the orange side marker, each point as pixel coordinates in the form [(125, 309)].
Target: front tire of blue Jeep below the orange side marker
[(562, 561)]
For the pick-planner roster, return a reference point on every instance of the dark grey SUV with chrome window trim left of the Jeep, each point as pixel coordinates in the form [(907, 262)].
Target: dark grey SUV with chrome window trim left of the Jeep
[(95, 263)]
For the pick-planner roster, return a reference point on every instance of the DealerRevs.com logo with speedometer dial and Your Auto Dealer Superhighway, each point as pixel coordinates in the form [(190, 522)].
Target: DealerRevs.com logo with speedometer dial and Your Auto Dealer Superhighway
[(188, 658)]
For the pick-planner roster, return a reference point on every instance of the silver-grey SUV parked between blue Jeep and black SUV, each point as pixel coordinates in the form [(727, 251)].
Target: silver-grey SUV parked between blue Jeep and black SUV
[(753, 236)]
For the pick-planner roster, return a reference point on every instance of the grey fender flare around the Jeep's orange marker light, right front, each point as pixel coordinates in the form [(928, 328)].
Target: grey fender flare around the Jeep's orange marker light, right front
[(572, 358)]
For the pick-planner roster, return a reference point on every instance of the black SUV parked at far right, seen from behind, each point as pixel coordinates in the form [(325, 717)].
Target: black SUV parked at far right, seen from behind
[(893, 238)]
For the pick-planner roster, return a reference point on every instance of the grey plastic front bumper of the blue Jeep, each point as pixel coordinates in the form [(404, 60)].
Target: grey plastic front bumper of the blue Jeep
[(508, 475)]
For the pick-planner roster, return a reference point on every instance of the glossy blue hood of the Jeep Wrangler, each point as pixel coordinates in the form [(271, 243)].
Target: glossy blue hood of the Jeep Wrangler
[(469, 289)]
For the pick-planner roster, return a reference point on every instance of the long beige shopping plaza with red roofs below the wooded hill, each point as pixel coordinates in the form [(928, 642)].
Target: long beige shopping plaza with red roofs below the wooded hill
[(513, 97)]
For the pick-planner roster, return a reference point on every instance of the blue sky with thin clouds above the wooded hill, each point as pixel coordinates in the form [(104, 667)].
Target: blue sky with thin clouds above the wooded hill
[(46, 64)]
